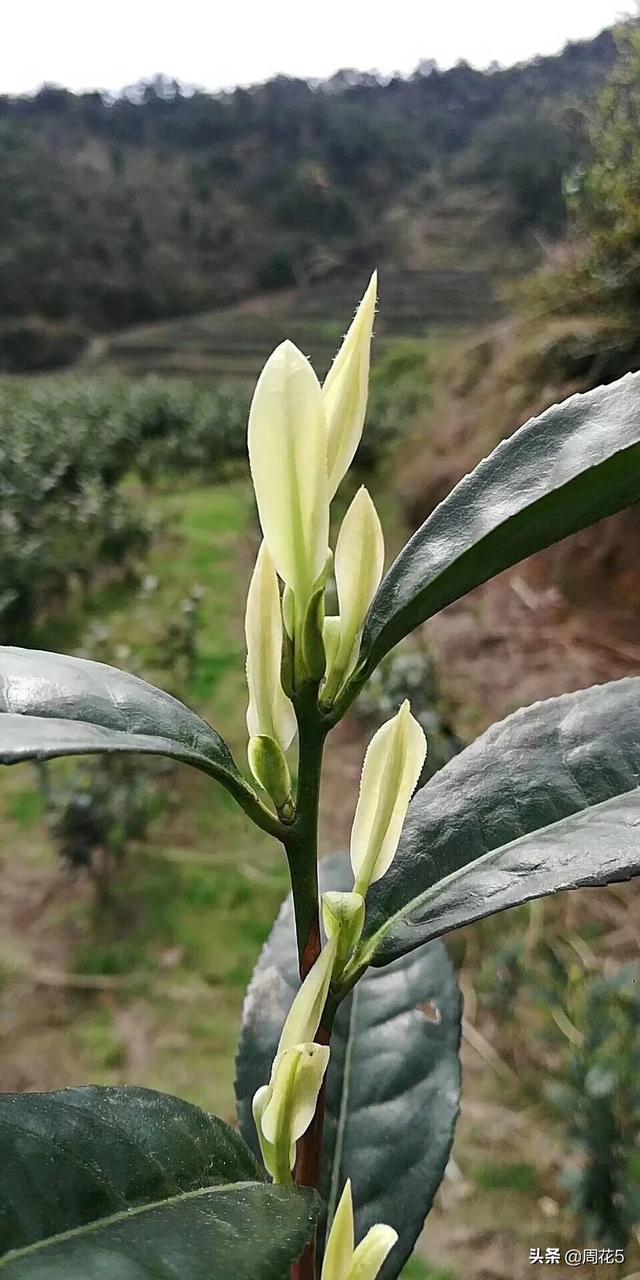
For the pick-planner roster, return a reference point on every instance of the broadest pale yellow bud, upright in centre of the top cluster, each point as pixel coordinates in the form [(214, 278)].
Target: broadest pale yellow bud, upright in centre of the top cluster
[(287, 449)]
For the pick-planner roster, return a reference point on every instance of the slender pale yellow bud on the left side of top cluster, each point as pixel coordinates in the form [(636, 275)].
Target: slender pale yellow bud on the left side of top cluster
[(269, 712)]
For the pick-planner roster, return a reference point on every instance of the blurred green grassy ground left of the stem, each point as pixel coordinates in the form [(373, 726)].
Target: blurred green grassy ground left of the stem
[(193, 908)]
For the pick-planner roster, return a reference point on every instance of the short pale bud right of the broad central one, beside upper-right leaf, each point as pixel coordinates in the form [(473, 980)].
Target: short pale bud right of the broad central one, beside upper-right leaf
[(359, 569)]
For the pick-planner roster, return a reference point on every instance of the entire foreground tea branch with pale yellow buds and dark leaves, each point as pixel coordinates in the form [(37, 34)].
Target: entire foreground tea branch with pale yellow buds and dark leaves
[(349, 1073)]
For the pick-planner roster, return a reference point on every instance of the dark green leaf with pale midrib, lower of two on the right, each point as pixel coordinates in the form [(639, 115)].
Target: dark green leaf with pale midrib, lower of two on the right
[(547, 801)]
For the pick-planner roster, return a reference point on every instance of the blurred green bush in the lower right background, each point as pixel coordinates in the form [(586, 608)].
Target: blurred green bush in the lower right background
[(588, 1028)]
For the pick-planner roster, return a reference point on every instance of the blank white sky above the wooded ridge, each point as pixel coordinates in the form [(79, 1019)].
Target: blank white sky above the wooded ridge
[(84, 44)]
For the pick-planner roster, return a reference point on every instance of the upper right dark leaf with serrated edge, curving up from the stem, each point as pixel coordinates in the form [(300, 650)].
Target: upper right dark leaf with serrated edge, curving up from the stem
[(560, 473)]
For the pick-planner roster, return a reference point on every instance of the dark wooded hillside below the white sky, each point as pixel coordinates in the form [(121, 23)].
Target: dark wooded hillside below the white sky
[(163, 203)]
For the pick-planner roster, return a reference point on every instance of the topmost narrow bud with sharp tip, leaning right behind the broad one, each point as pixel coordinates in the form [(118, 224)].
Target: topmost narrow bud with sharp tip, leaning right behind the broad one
[(346, 391)]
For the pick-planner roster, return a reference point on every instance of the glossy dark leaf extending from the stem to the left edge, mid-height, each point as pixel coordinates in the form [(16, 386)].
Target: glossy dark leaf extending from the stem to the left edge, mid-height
[(52, 706)]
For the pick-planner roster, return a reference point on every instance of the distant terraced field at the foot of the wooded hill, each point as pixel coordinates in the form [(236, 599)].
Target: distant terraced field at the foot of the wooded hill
[(236, 342)]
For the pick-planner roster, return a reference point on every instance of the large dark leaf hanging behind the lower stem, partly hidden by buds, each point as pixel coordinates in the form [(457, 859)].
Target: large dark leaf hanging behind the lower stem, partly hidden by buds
[(394, 1081)]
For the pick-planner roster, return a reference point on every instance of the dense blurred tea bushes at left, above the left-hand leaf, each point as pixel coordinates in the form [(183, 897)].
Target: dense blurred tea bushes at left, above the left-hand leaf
[(66, 447)]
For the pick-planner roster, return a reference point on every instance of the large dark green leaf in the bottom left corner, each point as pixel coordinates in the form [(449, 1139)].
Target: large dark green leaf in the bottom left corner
[(115, 1185)]
